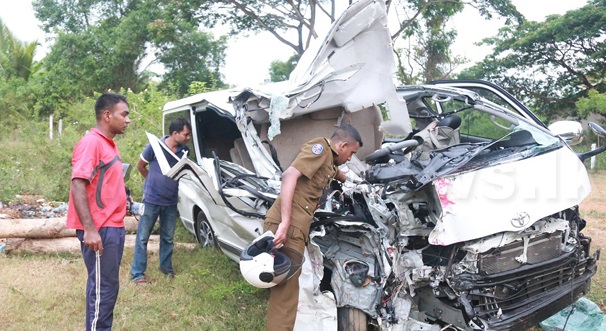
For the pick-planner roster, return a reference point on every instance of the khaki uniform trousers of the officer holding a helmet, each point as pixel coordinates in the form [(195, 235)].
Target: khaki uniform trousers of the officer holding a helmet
[(284, 298)]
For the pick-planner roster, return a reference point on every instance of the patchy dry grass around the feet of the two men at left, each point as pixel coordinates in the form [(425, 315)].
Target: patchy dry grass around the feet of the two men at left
[(46, 292)]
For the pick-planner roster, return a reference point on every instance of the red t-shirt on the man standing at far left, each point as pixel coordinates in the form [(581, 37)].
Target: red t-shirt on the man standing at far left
[(97, 160)]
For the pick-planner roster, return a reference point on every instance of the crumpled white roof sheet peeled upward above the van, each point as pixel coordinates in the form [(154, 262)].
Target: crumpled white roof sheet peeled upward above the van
[(352, 67)]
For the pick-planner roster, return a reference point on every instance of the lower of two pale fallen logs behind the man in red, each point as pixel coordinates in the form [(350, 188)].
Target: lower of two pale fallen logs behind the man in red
[(71, 245)]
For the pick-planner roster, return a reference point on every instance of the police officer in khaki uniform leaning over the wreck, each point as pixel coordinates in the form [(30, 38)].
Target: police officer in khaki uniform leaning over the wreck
[(290, 216)]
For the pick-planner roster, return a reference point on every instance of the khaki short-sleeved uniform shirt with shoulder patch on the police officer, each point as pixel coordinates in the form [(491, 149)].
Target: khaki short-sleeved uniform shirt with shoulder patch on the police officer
[(316, 161)]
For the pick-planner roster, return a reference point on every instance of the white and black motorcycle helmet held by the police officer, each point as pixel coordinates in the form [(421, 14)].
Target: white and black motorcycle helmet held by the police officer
[(264, 266)]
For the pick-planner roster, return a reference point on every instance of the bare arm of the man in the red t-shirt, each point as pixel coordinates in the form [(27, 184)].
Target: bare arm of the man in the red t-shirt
[(91, 235)]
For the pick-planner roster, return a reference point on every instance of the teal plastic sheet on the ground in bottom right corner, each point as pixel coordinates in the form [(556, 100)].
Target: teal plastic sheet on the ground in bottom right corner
[(585, 315)]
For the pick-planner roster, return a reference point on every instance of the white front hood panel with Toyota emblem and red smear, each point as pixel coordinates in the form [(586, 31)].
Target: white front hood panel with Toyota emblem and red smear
[(508, 197)]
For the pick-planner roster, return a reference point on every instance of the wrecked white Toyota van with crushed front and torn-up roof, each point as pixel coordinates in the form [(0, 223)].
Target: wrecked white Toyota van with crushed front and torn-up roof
[(468, 221)]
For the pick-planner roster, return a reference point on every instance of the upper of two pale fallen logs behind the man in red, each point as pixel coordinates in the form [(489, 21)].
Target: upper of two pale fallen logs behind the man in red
[(47, 228)]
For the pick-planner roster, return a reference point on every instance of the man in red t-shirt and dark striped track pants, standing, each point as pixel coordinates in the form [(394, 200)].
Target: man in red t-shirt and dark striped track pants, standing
[(97, 206)]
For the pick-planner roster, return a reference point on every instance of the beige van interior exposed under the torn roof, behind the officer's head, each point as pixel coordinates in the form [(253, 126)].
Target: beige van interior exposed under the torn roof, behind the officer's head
[(322, 124)]
